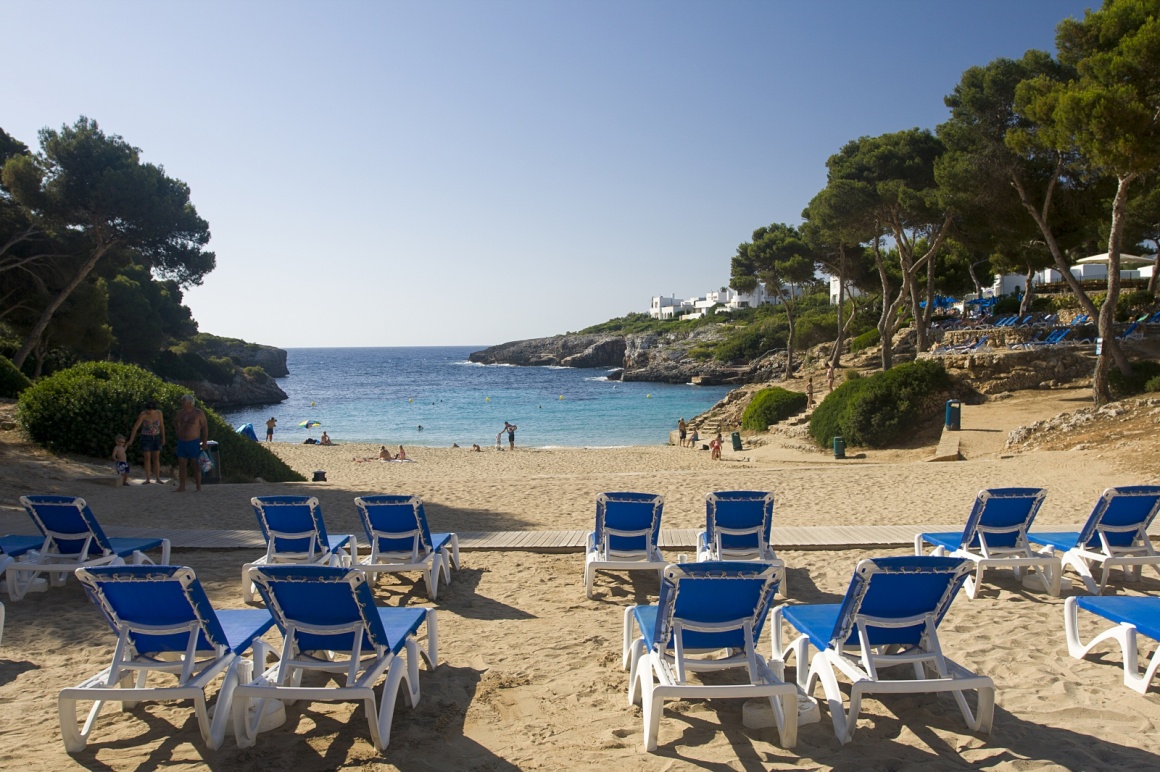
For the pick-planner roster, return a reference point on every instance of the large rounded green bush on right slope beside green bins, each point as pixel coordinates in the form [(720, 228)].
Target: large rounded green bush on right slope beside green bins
[(875, 412)]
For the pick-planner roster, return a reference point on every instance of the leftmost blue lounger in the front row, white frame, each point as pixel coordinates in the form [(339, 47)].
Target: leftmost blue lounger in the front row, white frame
[(164, 623)]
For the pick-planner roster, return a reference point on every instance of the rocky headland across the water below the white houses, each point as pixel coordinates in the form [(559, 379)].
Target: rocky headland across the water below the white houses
[(662, 358)]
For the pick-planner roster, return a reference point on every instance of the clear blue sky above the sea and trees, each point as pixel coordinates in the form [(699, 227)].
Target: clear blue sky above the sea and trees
[(440, 173)]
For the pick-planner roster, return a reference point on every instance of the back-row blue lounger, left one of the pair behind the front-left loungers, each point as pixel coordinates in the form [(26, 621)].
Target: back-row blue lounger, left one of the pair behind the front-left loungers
[(295, 534)]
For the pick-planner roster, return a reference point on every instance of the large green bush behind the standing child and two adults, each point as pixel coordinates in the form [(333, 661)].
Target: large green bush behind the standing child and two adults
[(82, 410)]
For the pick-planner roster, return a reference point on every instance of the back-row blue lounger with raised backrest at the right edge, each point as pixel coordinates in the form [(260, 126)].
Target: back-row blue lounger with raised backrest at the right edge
[(1115, 536)]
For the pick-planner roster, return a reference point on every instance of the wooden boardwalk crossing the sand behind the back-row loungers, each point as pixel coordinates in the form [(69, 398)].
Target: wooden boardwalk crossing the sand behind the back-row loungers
[(820, 537)]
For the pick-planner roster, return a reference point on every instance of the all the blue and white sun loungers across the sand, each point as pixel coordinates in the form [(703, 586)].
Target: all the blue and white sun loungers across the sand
[(709, 615)]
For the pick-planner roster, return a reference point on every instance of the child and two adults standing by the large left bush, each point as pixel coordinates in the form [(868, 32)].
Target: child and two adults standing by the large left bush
[(193, 435)]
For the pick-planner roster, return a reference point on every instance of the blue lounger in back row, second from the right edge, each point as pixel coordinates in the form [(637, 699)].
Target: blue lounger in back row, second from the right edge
[(996, 537)]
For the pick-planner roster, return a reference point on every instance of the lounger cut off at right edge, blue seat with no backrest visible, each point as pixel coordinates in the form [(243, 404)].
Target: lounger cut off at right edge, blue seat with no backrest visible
[(1135, 616)]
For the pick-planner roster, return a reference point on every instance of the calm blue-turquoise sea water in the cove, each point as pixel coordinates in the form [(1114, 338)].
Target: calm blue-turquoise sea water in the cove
[(382, 396)]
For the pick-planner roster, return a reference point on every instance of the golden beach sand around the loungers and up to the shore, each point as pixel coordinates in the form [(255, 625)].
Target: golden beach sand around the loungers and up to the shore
[(530, 672)]
